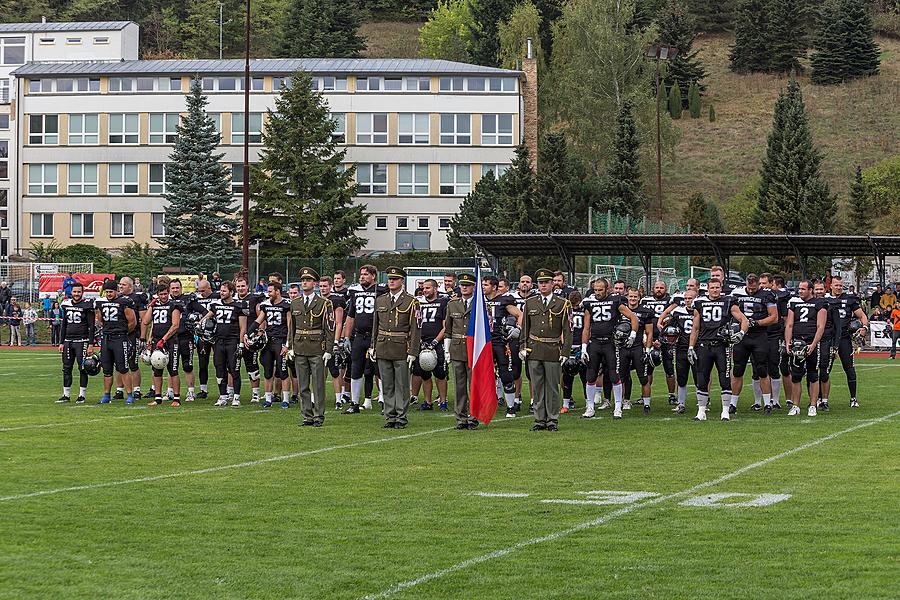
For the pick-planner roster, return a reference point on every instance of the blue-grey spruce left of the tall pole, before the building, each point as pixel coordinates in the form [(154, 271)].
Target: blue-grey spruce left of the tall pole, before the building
[(201, 226)]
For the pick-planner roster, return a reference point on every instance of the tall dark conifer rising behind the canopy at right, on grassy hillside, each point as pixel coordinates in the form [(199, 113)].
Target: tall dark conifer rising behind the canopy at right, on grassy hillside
[(793, 196)]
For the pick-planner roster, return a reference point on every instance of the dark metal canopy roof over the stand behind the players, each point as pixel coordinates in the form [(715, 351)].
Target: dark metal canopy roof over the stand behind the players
[(645, 246)]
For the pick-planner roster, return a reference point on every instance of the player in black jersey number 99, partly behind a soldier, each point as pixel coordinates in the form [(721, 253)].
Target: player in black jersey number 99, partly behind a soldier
[(360, 314)]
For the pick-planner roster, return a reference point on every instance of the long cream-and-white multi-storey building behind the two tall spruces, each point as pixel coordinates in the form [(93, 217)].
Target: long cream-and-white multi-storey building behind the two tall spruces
[(421, 133)]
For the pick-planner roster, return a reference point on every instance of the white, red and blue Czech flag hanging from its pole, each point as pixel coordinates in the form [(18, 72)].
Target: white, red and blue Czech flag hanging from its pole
[(483, 391)]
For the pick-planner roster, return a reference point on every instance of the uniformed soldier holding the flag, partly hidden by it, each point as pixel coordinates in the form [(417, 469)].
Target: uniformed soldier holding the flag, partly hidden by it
[(456, 325)]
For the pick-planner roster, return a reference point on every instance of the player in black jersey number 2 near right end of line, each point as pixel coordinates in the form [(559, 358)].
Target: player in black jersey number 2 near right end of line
[(805, 324)]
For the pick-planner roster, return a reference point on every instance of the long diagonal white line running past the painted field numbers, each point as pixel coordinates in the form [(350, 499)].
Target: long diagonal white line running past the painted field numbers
[(551, 537)]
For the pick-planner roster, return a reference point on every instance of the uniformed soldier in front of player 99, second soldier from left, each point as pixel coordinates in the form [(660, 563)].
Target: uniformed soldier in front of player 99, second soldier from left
[(396, 336)]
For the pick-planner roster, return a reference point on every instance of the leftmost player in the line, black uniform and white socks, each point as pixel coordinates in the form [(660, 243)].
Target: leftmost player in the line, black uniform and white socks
[(76, 335)]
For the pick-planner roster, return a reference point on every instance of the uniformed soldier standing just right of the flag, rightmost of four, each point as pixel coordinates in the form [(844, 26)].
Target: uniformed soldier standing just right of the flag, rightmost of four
[(547, 343)]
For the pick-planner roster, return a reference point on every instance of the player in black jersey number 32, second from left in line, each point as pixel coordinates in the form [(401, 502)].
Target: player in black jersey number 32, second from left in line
[(116, 315)]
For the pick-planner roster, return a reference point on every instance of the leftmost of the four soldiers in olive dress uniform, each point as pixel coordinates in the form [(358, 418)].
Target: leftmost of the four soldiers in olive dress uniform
[(312, 335)]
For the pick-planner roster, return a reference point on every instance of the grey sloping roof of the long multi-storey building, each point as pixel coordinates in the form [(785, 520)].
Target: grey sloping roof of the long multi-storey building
[(272, 66)]
